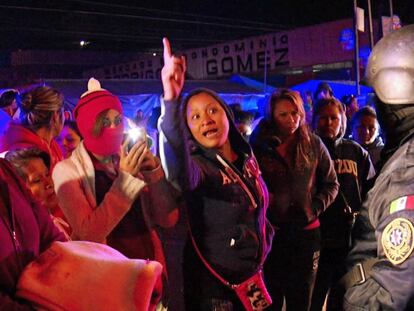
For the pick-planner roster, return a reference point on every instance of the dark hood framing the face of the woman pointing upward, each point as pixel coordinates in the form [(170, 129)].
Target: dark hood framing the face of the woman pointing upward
[(238, 143)]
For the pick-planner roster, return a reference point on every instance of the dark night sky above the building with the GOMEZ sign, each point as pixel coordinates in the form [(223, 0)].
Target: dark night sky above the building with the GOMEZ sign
[(138, 26)]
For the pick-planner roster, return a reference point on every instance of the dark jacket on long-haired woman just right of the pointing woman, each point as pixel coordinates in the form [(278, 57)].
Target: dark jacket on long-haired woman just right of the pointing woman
[(300, 194)]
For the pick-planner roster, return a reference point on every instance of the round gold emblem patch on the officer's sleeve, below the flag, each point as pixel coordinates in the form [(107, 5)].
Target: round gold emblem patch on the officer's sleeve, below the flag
[(398, 240)]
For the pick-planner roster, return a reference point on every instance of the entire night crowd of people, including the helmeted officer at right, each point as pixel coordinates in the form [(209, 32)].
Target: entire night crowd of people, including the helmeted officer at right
[(306, 210)]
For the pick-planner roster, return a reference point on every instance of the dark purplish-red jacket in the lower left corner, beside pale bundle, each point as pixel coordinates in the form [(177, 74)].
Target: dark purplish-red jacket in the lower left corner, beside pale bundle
[(34, 229)]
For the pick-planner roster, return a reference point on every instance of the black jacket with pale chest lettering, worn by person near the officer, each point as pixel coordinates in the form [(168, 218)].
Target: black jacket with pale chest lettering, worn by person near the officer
[(354, 170)]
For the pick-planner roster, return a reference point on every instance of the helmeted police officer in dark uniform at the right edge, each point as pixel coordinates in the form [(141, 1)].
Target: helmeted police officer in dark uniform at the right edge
[(381, 263)]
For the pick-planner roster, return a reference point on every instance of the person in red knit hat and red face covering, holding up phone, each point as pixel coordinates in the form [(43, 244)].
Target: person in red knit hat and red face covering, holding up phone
[(110, 194)]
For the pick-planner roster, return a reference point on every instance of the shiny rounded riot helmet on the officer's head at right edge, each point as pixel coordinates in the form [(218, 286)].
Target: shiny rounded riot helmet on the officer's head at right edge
[(390, 69)]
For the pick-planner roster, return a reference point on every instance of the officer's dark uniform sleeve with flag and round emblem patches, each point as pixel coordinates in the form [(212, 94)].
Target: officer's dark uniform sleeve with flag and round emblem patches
[(391, 285)]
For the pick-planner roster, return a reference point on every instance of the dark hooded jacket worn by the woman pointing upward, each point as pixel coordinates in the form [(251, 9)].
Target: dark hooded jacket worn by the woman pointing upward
[(228, 222)]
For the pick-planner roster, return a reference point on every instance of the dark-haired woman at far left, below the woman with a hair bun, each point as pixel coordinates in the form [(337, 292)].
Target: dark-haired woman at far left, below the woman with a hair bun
[(33, 166)]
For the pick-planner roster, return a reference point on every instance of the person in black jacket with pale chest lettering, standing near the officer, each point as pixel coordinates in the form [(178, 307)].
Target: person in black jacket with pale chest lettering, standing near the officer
[(353, 168)]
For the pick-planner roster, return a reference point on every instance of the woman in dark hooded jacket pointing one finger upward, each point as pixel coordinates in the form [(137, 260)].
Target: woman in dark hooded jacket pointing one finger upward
[(224, 192)]
